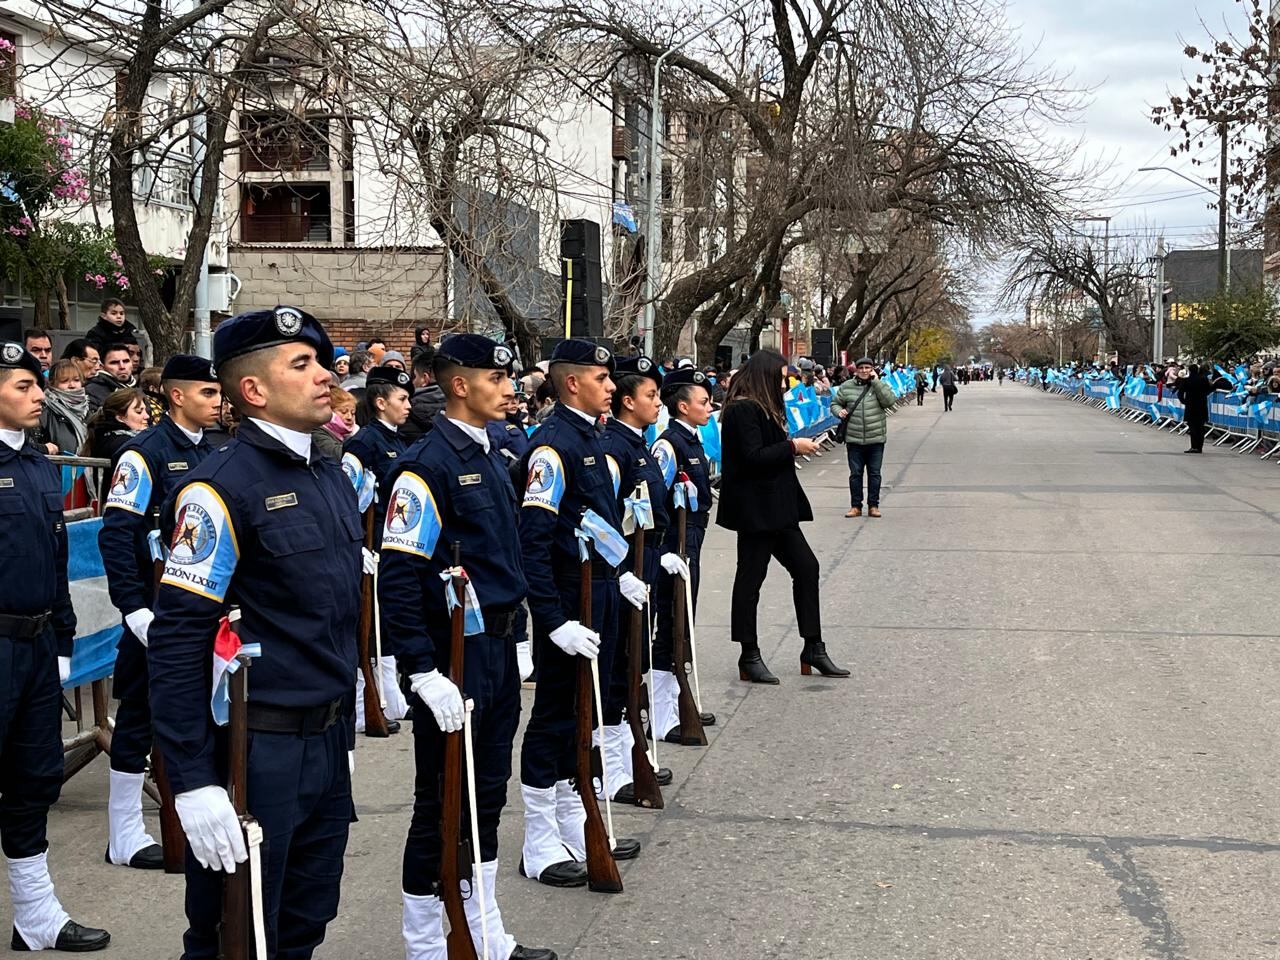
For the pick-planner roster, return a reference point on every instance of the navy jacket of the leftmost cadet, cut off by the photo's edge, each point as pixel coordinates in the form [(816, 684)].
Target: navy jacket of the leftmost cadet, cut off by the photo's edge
[(34, 542)]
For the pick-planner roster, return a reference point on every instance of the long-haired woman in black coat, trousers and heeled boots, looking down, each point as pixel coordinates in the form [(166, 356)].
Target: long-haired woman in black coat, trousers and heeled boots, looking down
[(762, 500)]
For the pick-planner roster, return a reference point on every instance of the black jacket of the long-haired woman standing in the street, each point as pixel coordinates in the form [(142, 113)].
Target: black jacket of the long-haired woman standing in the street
[(760, 488)]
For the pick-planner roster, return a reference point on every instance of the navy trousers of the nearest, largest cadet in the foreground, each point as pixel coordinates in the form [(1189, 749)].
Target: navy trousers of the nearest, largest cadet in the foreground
[(300, 792)]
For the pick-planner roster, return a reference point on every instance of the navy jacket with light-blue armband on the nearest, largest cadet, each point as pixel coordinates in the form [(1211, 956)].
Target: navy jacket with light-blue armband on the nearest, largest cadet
[(258, 527)]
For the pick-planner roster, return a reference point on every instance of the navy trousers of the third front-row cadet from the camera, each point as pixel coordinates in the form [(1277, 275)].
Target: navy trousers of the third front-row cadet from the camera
[(548, 753)]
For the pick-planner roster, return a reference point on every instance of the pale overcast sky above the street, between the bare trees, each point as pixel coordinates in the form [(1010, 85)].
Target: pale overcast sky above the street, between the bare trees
[(1131, 54)]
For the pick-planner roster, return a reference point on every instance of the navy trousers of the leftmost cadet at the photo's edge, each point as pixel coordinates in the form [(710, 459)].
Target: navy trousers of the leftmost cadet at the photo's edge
[(31, 743)]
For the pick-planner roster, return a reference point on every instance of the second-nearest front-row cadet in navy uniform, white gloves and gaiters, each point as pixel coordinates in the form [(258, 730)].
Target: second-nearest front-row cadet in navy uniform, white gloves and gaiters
[(451, 490)]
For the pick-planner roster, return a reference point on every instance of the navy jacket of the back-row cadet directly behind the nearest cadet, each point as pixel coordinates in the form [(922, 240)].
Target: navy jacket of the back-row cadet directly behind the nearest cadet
[(148, 470)]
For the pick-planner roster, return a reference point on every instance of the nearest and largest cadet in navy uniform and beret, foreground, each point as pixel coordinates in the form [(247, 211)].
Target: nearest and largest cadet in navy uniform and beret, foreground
[(266, 524)]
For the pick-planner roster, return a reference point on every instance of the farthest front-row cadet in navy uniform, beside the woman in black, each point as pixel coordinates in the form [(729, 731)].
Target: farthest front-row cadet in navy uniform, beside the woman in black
[(680, 451)]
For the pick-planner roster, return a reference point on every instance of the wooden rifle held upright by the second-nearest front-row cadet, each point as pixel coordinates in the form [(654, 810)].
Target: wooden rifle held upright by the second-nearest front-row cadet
[(456, 854)]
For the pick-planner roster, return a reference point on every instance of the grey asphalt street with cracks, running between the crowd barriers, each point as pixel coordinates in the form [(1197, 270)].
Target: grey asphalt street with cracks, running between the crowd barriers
[(1059, 742)]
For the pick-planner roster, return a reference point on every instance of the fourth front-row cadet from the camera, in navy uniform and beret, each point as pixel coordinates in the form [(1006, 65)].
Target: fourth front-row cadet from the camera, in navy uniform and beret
[(637, 406)]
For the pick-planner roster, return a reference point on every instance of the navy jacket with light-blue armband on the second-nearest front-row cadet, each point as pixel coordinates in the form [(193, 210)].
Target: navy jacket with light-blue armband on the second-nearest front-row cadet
[(447, 491)]
